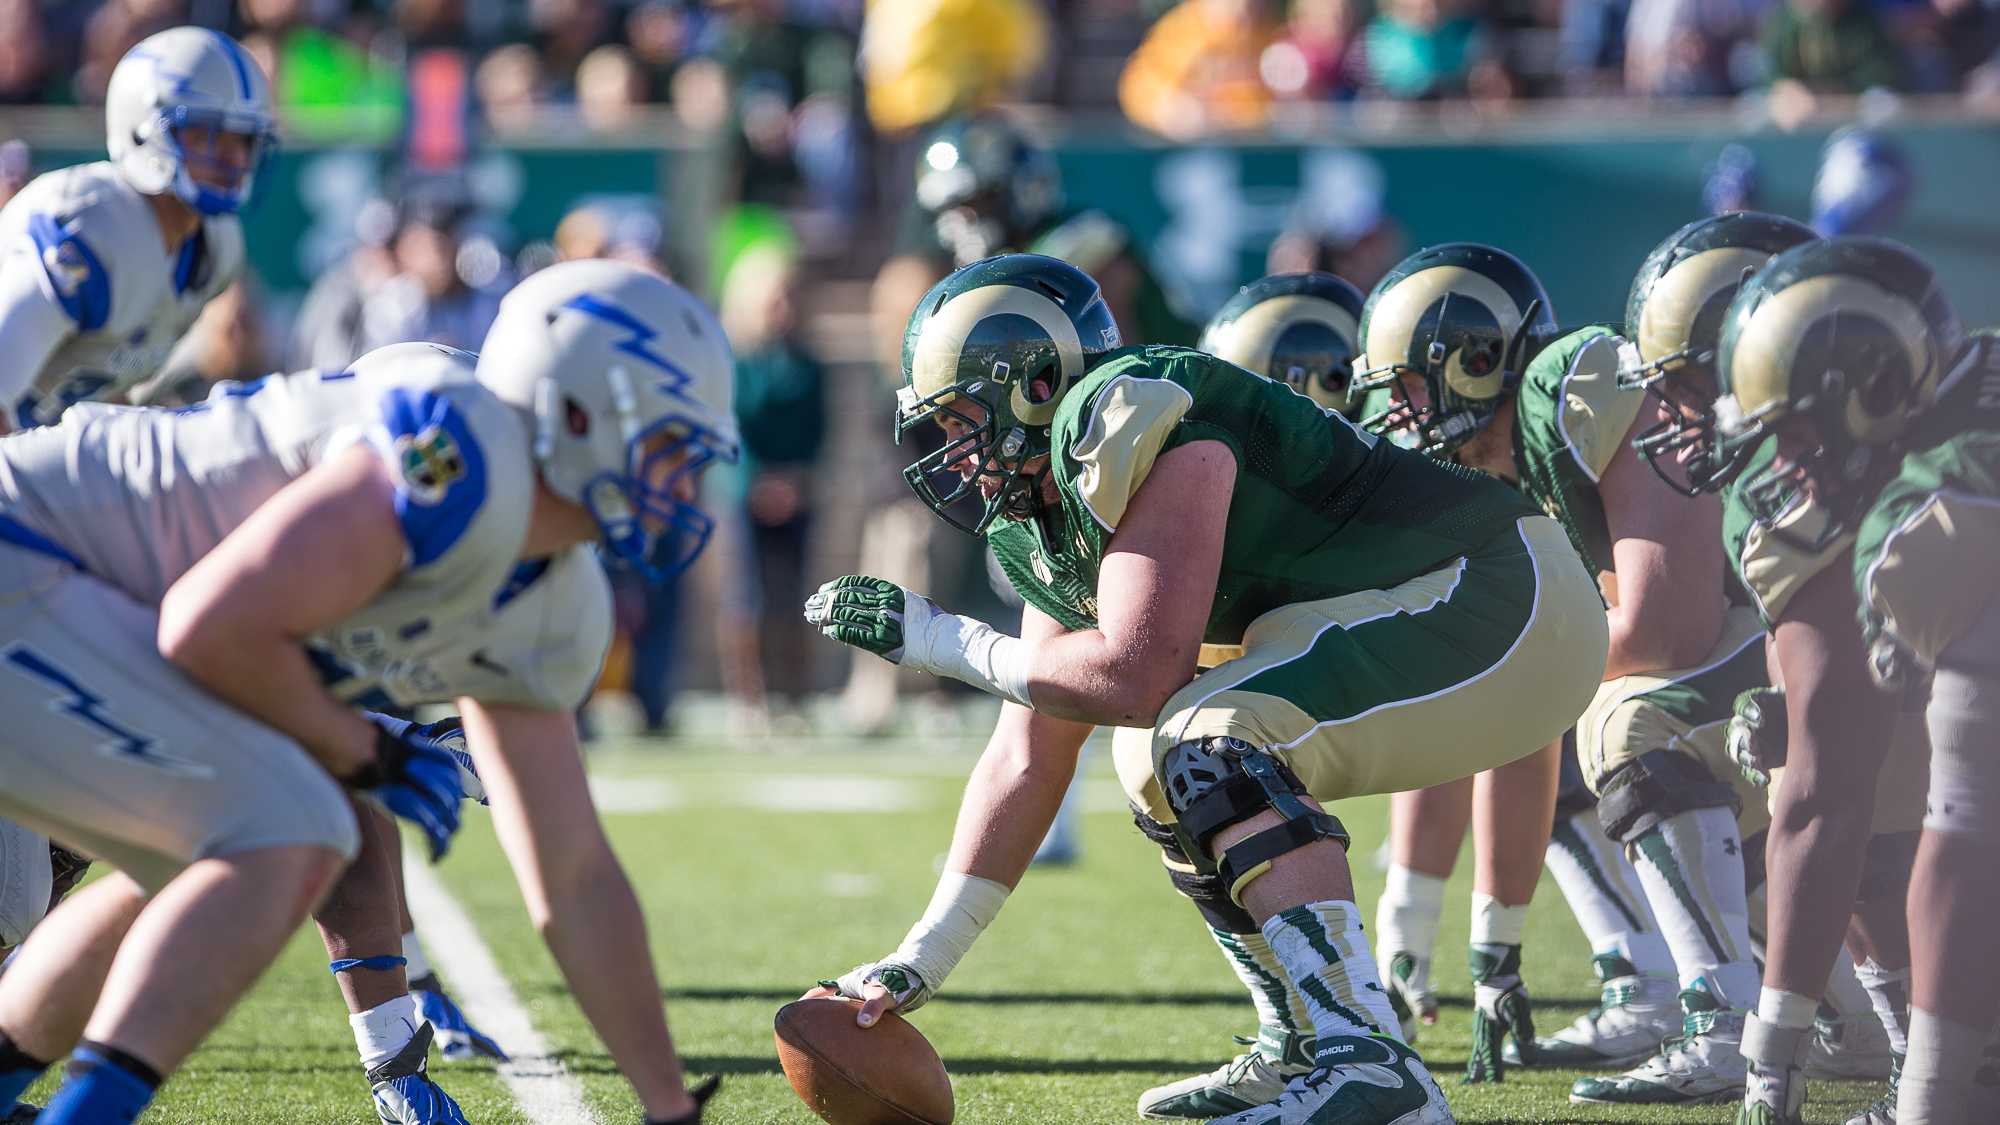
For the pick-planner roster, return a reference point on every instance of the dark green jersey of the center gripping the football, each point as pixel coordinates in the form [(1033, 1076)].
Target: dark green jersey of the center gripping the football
[(1319, 509)]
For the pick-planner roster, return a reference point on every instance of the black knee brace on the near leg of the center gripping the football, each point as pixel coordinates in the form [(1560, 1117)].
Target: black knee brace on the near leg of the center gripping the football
[(1219, 782)]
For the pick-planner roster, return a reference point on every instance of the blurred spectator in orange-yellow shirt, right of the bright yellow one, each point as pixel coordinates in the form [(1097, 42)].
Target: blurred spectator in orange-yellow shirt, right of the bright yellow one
[(1199, 69)]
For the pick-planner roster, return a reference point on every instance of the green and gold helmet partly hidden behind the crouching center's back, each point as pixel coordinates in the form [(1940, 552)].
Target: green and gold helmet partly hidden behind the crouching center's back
[(1295, 329)]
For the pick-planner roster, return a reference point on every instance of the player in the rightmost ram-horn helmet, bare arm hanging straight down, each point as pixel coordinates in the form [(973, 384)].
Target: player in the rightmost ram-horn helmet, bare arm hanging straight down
[(1823, 361)]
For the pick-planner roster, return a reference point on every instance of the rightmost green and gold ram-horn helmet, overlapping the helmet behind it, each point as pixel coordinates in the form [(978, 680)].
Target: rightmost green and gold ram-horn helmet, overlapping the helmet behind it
[(1851, 335)]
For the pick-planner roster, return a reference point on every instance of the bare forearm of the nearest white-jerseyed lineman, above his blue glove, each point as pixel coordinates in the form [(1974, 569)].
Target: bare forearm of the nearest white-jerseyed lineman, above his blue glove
[(269, 678)]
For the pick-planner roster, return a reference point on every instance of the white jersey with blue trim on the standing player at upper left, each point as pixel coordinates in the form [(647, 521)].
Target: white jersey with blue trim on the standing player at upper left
[(97, 249)]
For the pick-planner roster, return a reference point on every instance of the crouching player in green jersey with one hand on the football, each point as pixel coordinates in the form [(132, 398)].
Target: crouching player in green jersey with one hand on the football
[(1399, 624)]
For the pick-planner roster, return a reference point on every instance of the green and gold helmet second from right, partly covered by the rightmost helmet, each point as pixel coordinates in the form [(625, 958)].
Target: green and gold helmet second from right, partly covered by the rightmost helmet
[(1675, 325)]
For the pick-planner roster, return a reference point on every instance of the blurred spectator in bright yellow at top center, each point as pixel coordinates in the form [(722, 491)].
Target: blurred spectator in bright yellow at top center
[(929, 59)]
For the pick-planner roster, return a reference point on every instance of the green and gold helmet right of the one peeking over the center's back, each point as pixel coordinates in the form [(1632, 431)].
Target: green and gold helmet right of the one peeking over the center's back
[(1465, 319)]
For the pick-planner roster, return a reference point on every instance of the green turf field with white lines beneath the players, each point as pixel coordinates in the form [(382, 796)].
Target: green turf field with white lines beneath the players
[(1095, 984)]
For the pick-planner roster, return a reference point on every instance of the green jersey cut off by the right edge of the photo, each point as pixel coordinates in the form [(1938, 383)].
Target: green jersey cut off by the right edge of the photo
[(1927, 545)]
